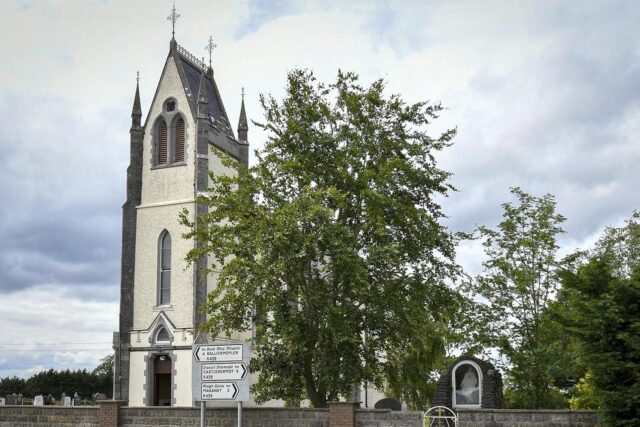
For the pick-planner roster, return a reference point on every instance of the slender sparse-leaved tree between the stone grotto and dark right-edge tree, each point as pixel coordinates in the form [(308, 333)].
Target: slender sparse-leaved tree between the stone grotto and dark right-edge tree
[(519, 280)]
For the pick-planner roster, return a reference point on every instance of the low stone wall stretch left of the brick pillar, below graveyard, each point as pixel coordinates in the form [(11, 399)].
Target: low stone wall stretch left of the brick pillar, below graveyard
[(49, 416)]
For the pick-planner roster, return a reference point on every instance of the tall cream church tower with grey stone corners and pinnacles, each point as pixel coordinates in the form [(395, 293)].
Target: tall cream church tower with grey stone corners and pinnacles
[(171, 155)]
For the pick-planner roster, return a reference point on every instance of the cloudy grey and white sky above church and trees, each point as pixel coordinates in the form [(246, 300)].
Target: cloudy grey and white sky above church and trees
[(545, 95)]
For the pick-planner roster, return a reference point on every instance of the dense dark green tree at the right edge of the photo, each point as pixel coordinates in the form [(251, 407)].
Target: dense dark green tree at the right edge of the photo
[(601, 310)]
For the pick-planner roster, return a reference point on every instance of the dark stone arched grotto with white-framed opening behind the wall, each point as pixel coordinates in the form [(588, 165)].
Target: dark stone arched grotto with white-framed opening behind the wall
[(469, 383)]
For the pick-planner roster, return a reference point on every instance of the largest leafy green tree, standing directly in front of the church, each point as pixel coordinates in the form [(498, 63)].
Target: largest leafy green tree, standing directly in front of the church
[(332, 244)]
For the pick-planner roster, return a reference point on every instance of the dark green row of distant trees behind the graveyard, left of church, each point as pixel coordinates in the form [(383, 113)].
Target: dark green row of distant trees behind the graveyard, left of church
[(64, 381)]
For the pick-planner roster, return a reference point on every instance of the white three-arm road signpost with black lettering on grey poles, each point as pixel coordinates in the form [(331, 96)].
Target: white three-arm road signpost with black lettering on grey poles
[(220, 373)]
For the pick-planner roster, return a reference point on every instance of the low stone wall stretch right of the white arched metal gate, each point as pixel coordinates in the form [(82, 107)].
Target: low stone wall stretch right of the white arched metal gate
[(526, 418)]
